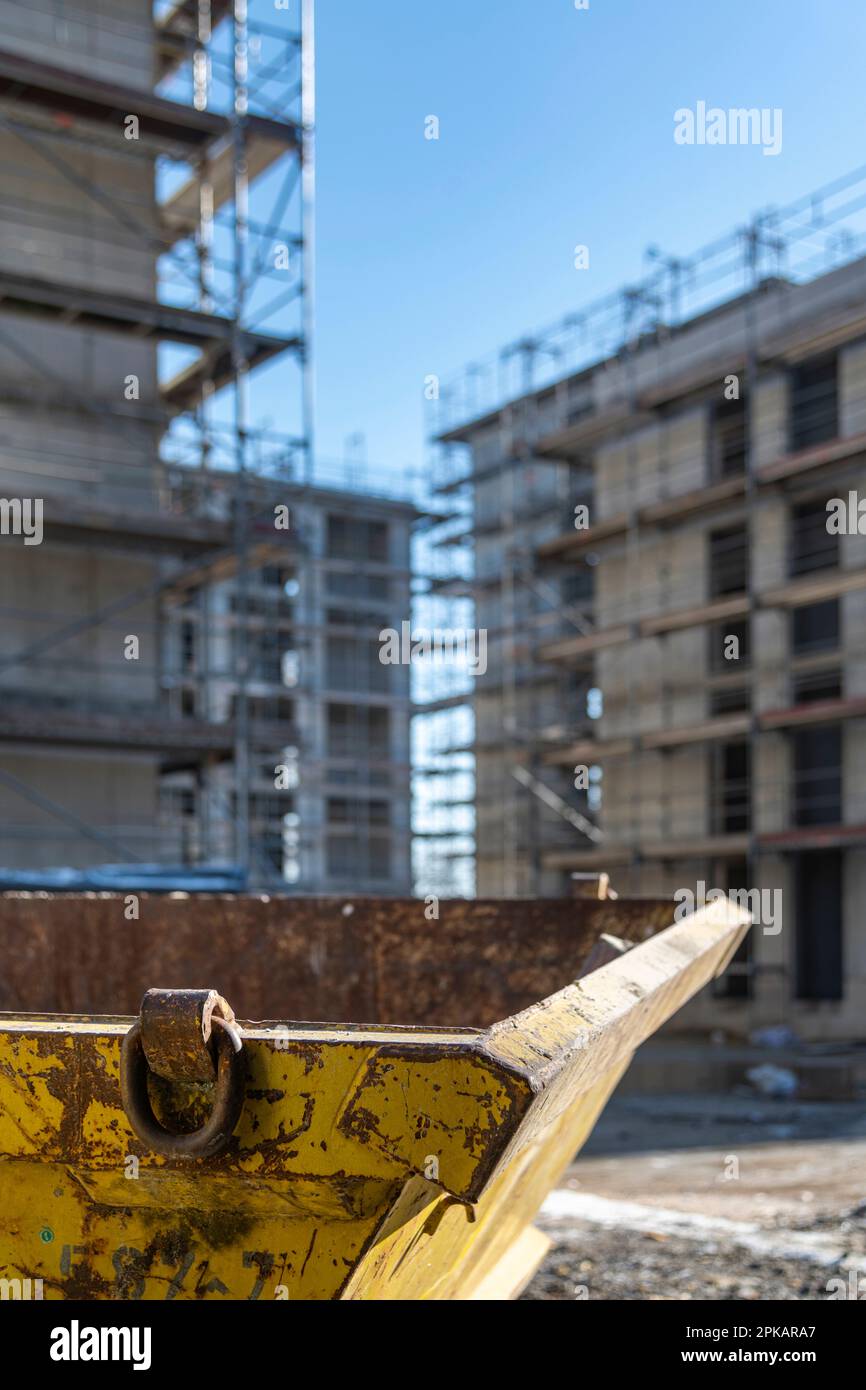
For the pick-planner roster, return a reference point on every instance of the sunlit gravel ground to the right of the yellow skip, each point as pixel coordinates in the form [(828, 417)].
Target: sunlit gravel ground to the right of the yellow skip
[(710, 1197)]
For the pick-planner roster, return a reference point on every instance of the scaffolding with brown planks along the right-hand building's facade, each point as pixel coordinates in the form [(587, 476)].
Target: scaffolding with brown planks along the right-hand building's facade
[(607, 373)]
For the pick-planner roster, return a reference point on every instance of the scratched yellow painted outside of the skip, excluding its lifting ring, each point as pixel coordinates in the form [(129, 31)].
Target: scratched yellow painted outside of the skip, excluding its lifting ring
[(368, 1164)]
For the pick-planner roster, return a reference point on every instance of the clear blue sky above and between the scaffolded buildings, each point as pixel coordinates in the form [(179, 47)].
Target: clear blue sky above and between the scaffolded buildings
[(557, 129)]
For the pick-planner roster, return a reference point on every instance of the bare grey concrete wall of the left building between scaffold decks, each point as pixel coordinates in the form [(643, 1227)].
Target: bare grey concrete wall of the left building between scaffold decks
[(58, 443)]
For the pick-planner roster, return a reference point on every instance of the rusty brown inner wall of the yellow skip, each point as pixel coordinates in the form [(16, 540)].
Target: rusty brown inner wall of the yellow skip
[(361, 960)]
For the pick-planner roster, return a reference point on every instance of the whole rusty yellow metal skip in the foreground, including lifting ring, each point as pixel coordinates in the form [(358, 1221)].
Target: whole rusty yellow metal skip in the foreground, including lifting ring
[(398, 1152)]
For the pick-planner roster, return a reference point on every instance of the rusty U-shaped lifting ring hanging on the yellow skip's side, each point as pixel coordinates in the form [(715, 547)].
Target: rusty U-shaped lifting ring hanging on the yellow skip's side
[(229, 1097)]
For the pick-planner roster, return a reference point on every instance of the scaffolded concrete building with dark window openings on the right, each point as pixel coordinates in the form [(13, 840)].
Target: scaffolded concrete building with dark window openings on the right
[(678, 680)]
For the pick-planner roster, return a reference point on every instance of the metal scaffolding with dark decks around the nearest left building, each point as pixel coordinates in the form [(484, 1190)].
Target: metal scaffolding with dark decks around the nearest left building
[(231, 165)]
